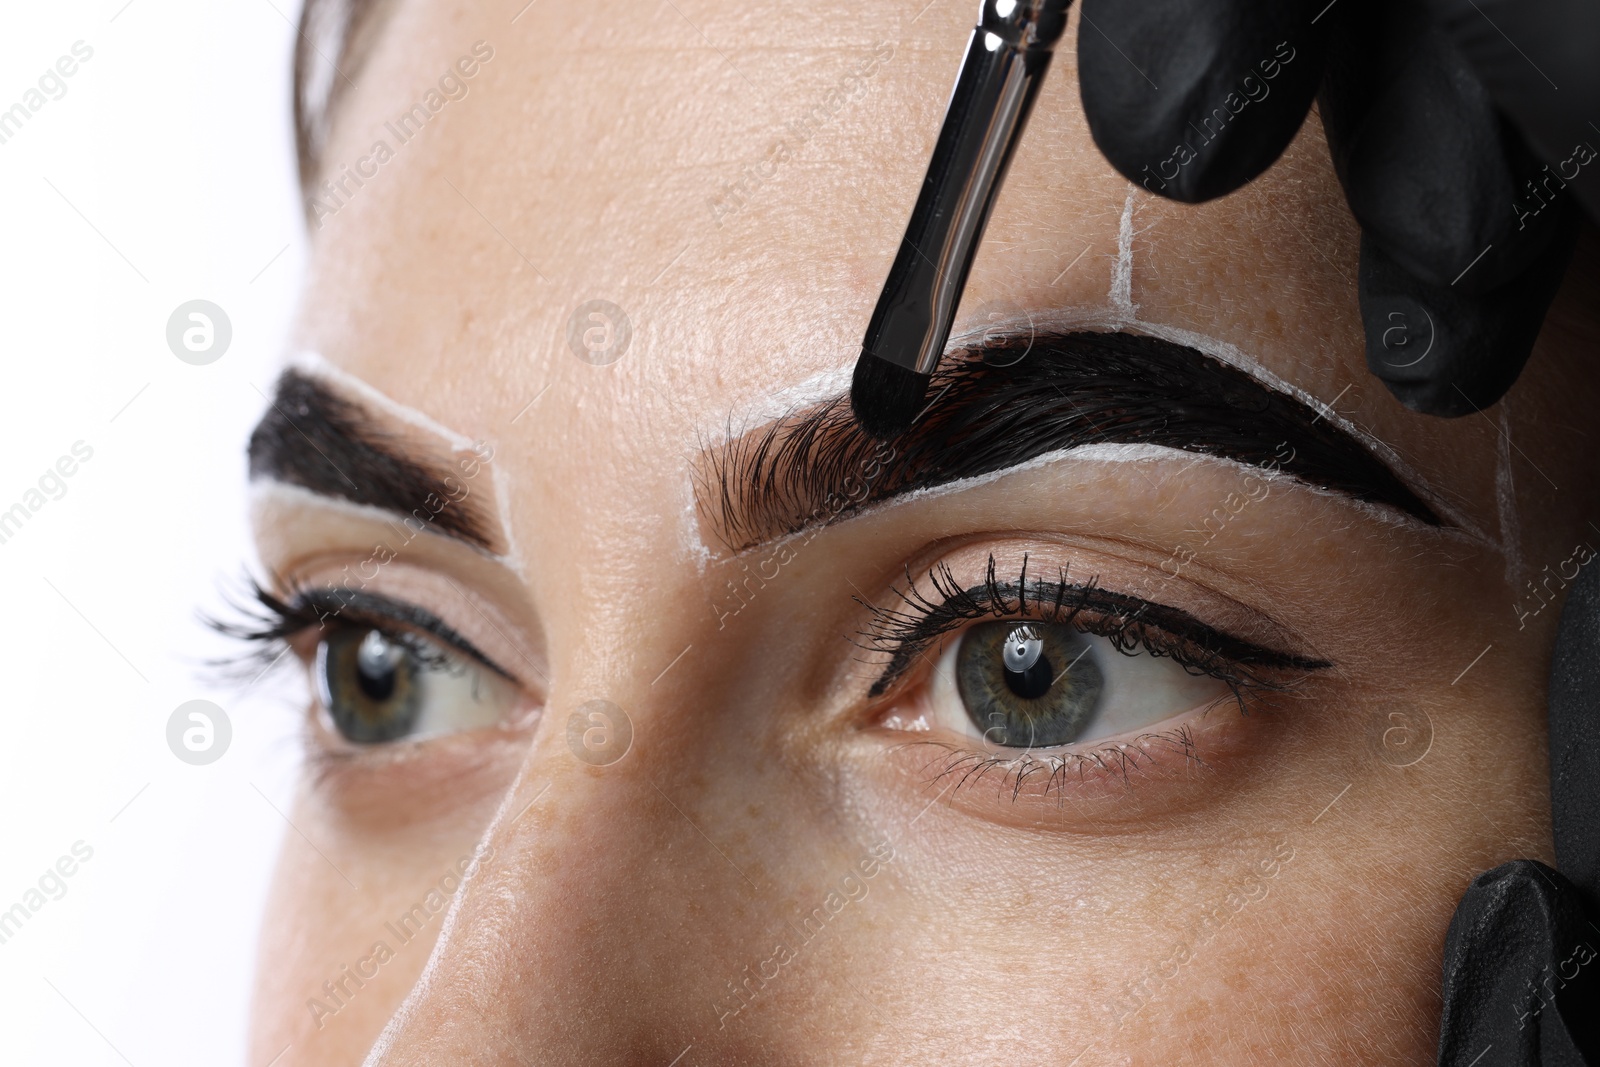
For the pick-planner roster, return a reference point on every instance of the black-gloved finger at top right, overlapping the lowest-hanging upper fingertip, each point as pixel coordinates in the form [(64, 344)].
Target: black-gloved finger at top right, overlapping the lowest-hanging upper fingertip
[(1430, 167)]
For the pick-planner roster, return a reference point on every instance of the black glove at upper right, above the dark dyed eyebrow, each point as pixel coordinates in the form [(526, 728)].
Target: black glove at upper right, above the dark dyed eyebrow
[(1466, 231)]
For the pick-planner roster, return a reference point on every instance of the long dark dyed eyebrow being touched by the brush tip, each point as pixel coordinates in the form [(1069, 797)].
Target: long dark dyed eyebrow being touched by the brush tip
[(1018, 399)]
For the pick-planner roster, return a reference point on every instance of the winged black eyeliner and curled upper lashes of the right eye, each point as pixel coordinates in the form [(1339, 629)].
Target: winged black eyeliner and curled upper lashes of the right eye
[(1130, 623)]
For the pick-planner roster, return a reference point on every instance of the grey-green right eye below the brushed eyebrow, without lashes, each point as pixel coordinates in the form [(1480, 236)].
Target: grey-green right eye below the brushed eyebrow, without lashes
[(1039, 685)]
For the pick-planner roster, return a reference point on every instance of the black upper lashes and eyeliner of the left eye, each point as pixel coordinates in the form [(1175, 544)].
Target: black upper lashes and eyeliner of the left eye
[(270, 623)]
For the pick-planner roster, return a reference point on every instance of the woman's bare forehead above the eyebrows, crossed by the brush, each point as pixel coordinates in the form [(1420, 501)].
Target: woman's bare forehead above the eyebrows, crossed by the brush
[(734, 190)]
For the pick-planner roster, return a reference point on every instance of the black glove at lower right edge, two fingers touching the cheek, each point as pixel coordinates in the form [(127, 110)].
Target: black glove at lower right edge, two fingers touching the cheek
[(1522, 959)]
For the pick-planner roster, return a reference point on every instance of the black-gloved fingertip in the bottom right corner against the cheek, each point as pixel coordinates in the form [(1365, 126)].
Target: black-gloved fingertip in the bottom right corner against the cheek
[(1521, 973)]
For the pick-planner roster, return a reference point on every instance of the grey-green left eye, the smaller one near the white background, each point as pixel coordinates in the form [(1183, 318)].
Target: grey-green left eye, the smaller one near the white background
[(380, 685)]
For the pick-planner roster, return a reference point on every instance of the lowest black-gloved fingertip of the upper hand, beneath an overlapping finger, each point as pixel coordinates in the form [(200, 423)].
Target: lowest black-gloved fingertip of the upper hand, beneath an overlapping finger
[(1442, 351)]
